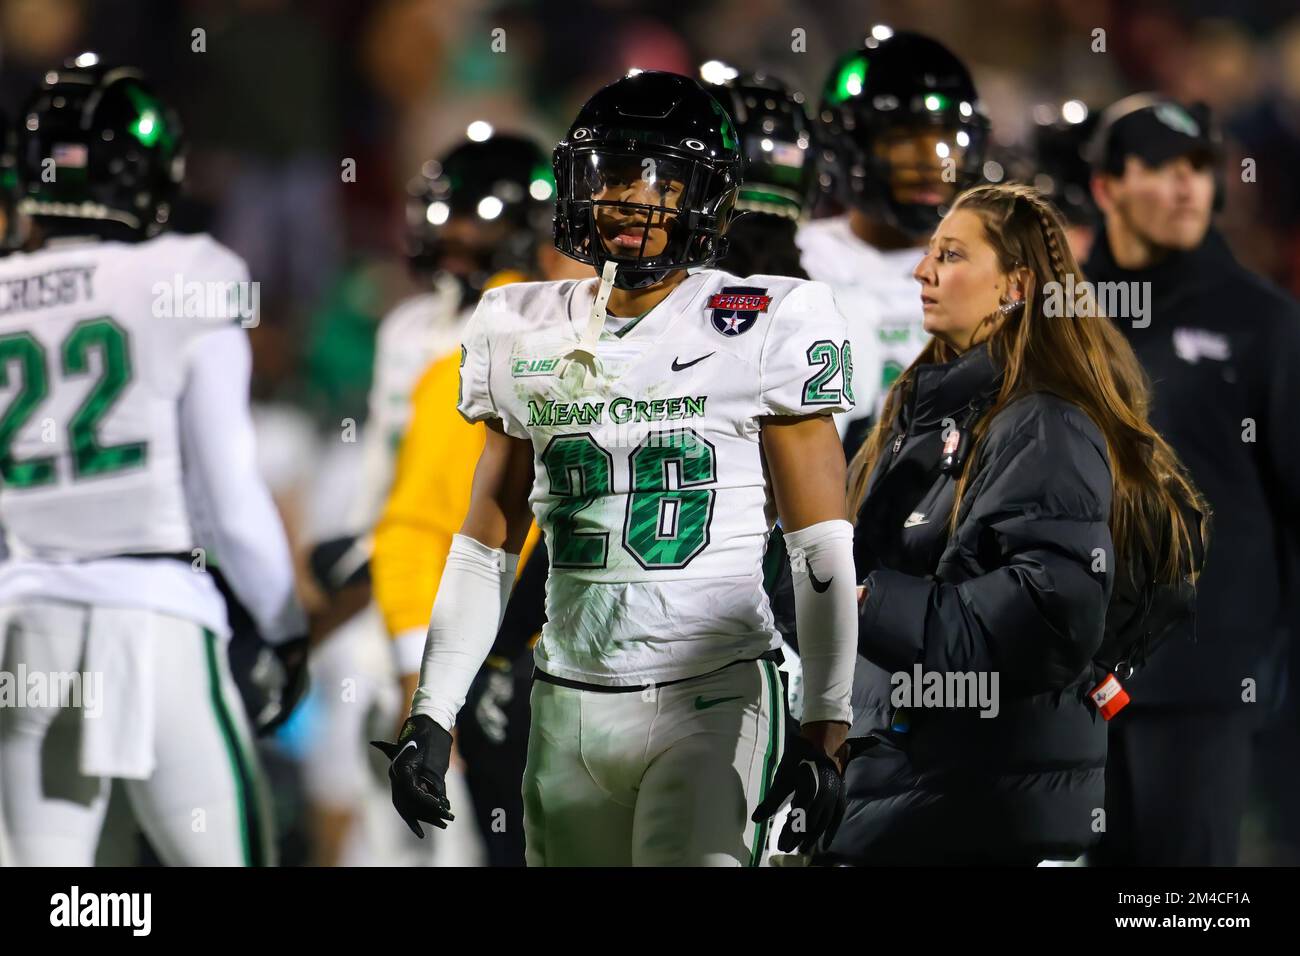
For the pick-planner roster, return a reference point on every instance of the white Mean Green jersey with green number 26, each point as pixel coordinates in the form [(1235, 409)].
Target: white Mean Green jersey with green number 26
[(651, 483)]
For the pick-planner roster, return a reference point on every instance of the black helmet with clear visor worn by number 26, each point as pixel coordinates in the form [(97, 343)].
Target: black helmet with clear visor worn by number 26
[(647, 178)]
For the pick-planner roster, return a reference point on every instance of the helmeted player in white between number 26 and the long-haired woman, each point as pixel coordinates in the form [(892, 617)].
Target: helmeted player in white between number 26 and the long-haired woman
[(904, 133)]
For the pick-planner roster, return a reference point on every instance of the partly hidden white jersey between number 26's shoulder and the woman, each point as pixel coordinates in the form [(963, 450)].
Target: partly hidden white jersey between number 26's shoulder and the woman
[(879, 299)]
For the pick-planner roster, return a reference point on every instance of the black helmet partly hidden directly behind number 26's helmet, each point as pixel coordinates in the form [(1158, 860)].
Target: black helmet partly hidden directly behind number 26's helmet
[(775, 140)]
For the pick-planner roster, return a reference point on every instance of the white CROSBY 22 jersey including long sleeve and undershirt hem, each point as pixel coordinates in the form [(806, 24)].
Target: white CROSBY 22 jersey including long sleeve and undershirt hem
[(102, 347)]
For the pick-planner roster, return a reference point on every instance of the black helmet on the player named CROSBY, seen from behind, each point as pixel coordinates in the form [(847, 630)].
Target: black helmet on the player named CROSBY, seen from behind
[(99, 153)]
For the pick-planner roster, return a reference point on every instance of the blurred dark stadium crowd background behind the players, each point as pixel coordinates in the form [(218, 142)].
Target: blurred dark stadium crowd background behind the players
[(288, 90)]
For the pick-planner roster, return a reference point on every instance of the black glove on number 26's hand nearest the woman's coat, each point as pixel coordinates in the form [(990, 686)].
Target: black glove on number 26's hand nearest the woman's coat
[(814, 785)]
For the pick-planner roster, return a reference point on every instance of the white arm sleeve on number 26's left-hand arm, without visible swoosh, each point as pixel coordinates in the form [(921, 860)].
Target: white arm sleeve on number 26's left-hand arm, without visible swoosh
[(467, 615)]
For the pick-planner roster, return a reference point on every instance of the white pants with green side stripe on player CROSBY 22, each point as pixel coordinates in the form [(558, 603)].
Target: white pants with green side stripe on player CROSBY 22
[(203, 804)]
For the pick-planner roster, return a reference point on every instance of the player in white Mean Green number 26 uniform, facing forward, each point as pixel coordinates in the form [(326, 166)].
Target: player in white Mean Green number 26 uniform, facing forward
[(656, 422)]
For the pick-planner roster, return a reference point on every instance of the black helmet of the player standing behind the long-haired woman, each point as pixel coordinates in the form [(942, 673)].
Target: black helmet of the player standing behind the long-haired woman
[(907, 85)]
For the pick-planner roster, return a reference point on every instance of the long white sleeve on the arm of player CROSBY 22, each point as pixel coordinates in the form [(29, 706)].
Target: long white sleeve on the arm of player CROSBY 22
[(229, 504)]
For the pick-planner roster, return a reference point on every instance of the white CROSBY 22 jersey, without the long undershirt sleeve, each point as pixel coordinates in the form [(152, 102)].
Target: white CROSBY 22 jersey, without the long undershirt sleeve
[(90, 464)]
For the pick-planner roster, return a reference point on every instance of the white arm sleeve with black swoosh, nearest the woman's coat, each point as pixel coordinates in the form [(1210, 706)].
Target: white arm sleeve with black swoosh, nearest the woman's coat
[(826, 611)]
